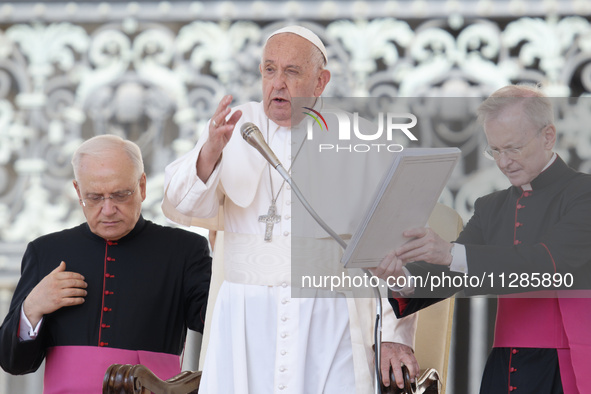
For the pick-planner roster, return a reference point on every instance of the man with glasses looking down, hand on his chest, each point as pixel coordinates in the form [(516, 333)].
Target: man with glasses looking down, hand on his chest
[(117, 289)]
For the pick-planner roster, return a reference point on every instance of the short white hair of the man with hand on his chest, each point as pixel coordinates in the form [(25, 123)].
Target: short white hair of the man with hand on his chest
[(100, 144)]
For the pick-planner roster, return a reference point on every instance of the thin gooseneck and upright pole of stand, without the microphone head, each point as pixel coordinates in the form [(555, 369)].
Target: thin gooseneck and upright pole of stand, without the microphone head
[(343, 244)]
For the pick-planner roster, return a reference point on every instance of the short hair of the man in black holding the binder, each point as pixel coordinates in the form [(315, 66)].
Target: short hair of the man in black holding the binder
[(534, 103)]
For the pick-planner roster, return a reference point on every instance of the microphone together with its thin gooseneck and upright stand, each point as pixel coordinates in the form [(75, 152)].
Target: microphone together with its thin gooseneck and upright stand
[(251, 133)]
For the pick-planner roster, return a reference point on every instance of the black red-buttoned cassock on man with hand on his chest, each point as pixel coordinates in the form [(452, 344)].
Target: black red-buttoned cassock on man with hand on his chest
[(144, 291)]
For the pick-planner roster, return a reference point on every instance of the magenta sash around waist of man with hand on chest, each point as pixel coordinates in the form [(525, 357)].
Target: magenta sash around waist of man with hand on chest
[(81, 369)]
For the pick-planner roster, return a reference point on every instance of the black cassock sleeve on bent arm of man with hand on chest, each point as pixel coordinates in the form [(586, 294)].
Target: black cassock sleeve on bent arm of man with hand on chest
[(20, 357)]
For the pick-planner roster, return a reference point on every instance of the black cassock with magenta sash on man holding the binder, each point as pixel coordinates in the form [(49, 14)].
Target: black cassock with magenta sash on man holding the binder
[(513, 234)]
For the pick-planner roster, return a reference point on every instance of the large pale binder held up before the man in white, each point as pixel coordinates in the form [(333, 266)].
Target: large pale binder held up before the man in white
[(404, 199)]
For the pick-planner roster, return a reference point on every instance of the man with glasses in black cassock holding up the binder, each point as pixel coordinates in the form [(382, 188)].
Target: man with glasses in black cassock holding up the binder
[(536, 235)]
